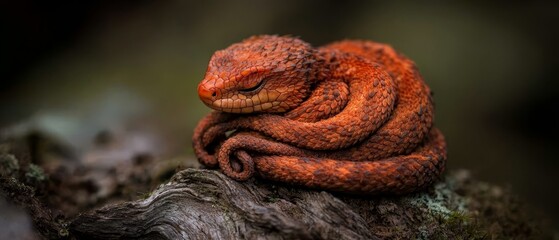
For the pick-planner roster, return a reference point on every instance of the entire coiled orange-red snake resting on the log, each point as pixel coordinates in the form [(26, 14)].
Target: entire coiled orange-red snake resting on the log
[(352, 116)]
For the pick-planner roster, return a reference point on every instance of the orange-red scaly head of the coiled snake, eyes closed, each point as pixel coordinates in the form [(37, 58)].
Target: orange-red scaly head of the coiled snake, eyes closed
[(259, 74)]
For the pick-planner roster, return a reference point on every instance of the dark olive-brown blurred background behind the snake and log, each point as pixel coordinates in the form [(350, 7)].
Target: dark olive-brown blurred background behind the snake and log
[(492, 65)]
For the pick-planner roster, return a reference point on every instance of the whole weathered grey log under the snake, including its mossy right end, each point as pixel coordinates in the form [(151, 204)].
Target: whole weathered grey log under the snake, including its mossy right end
[(205, 204)]
